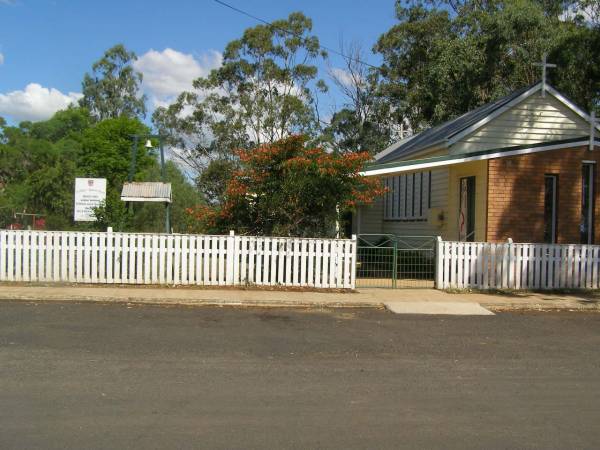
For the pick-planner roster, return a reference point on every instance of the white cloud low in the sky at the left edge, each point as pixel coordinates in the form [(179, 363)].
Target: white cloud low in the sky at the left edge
[(35, 102)]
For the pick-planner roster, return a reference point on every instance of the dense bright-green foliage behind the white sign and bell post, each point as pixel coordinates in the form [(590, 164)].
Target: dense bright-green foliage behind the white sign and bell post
[(40, 161)]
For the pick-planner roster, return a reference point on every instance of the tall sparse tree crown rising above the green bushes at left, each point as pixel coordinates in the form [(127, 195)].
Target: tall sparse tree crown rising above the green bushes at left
[(112, 90)]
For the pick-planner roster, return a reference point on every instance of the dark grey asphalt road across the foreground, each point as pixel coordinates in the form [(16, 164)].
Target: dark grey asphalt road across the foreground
[(99, 376)]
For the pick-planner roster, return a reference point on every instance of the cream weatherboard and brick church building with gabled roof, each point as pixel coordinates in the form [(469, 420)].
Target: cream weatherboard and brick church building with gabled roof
[(522, 167)]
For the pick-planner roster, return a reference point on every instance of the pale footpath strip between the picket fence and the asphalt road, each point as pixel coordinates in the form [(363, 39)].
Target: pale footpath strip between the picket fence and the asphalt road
[(416, 301)]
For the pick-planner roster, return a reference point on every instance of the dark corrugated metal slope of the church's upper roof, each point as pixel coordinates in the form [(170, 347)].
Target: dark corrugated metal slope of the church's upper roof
[(446, 130)]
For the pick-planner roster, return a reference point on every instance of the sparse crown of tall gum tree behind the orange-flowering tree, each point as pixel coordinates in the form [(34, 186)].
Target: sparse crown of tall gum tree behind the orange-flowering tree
[(264, 91)]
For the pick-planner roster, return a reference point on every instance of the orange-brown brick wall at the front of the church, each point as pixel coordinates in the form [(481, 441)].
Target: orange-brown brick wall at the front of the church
[(516, 195)]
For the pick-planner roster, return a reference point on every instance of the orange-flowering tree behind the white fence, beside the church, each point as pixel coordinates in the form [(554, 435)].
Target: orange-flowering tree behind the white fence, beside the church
[(289, 189)]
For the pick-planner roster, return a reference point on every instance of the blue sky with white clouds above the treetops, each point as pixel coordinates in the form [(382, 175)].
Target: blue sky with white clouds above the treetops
[(46, 46)]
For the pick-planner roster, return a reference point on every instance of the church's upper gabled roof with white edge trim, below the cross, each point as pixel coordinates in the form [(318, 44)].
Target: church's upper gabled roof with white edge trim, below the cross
[(449, 132)]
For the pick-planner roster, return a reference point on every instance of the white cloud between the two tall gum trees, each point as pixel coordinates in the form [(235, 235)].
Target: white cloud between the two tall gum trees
[(167, 73)]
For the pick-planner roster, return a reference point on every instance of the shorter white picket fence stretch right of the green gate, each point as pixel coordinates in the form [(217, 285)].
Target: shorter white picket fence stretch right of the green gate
[(484, 265)]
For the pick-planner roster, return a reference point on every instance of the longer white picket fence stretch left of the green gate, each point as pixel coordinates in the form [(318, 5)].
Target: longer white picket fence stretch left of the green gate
[(132, 258)]
